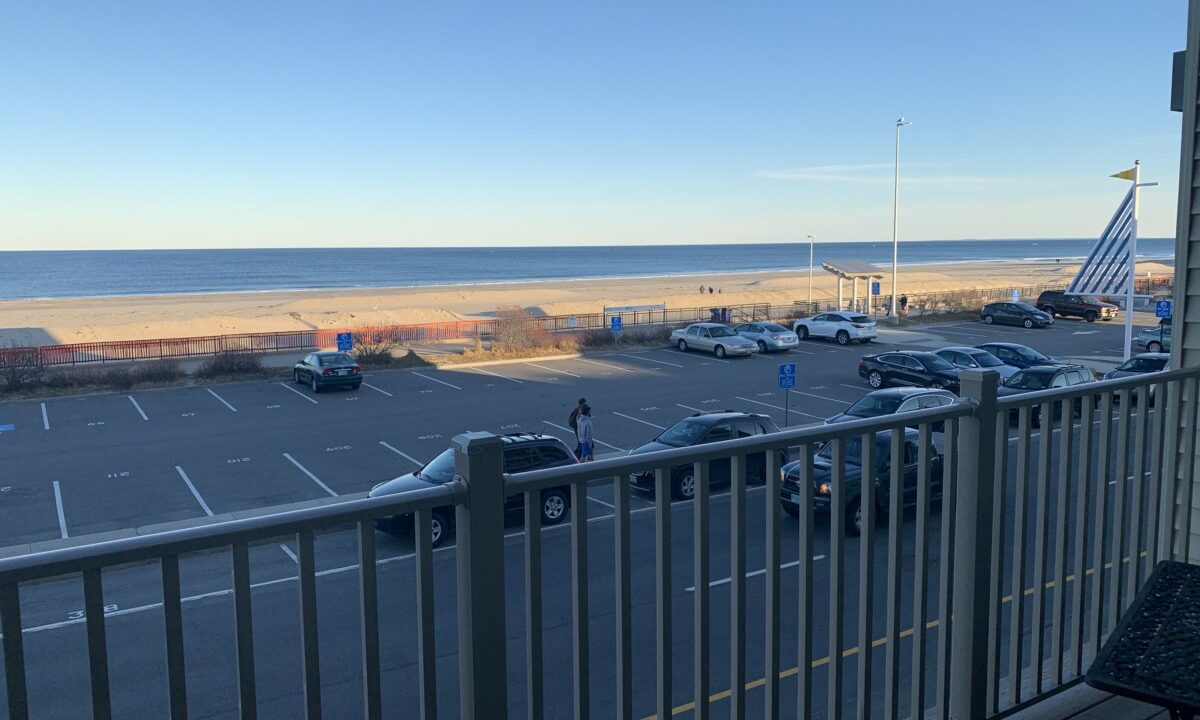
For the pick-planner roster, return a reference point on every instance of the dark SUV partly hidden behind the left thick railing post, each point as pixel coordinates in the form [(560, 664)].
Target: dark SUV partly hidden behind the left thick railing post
[(523, 453)]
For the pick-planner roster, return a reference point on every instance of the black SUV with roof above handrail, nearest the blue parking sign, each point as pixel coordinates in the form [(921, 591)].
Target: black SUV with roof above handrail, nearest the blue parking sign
[(707, 428)]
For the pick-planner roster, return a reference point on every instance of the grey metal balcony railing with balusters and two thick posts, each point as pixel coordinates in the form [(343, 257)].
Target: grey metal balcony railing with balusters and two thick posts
[(1028, 520)]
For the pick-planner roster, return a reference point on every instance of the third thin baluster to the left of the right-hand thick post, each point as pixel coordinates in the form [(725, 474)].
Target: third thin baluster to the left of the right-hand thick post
[(896, 508)]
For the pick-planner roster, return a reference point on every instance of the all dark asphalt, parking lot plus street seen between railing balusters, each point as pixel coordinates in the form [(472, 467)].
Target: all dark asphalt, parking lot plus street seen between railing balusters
[(82, 467)]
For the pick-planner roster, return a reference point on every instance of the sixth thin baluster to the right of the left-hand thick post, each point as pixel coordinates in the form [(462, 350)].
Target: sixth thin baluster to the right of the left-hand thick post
[(739, 586)]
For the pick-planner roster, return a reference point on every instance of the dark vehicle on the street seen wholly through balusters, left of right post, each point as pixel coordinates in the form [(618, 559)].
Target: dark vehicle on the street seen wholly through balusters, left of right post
[(823, 477)]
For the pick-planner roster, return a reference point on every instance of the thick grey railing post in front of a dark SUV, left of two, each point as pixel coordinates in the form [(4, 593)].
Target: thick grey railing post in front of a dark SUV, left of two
[(479, 527)]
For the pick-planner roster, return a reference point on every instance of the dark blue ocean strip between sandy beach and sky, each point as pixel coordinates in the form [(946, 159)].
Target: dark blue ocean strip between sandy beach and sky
[(87, 274)]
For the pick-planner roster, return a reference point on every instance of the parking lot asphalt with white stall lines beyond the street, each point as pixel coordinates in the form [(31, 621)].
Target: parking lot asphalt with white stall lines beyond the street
[(107, 464)]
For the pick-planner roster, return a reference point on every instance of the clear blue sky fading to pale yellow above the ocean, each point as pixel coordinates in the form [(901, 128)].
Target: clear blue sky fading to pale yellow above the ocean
[(149, 124)]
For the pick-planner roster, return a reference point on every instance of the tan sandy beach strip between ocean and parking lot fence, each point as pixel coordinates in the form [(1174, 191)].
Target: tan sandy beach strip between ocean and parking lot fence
[(74, 321)]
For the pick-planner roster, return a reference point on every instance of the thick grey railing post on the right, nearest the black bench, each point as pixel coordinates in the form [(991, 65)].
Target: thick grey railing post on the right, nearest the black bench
[(973, 562)]
